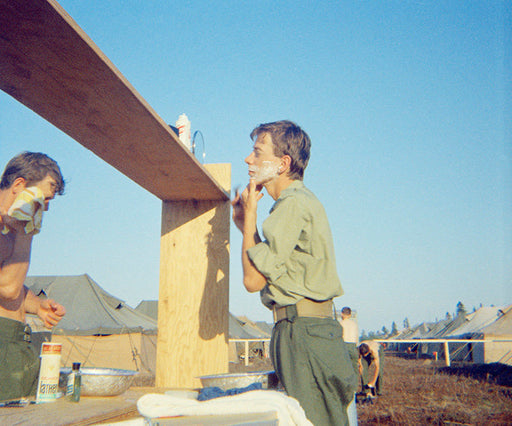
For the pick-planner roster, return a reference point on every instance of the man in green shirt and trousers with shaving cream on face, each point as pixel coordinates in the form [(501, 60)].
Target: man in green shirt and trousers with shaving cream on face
[(293, 267)]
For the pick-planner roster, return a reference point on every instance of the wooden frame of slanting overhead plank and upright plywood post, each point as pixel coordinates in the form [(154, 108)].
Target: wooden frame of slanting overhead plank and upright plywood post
[(50, 65)]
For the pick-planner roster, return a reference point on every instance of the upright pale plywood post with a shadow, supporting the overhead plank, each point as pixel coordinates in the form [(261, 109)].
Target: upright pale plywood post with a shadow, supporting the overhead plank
[(193, 305)]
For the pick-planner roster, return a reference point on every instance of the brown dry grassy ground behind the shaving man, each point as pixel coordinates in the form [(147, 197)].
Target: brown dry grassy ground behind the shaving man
[(425, 392)]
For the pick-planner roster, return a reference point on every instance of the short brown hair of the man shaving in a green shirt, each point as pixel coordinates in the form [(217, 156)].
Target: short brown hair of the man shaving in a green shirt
[(288, 139)]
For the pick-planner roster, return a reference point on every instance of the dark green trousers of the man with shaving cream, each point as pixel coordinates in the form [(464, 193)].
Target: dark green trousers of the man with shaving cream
[(313, 364)]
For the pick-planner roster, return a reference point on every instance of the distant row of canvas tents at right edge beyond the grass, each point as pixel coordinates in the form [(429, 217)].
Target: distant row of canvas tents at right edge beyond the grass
[(490, 323)]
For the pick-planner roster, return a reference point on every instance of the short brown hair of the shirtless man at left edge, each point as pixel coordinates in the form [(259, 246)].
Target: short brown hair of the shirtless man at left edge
[(33, 167)]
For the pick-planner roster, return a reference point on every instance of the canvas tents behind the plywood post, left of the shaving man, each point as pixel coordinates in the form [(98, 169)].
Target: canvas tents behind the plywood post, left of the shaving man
[(101, 330)]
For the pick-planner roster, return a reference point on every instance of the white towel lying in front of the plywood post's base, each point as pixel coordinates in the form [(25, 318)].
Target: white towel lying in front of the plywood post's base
[(288, 410)]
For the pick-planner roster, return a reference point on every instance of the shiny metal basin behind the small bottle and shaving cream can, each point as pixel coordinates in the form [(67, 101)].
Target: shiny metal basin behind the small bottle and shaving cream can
[(100, 381)]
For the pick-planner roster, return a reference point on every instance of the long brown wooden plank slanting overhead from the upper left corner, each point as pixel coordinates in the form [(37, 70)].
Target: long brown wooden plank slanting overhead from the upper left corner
[(50, 65)]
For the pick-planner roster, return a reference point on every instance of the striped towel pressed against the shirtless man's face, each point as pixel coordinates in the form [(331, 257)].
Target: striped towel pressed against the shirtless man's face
[(28, 207)]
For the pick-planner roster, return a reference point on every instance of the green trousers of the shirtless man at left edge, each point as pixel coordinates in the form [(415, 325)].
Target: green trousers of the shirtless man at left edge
[(19, 362)]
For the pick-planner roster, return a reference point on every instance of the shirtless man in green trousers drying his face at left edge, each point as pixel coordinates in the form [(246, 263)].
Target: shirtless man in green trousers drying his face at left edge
[(19, 363)]
